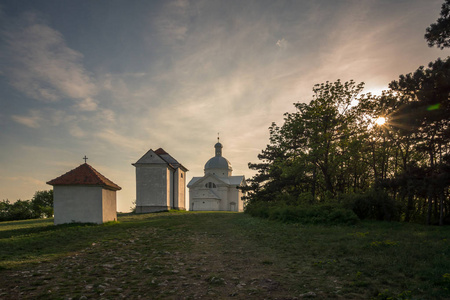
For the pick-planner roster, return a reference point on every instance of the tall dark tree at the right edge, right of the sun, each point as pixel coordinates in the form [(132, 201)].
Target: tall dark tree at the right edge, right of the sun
[(425, 110)]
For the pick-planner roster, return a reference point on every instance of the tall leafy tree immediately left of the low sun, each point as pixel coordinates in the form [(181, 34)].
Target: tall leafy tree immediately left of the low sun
[(326, 129)]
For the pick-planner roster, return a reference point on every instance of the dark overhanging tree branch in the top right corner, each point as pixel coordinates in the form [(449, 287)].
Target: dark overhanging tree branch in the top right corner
[(439, 33)]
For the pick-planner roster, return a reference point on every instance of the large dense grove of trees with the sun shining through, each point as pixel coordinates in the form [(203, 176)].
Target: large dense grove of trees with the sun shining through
[(336, 150)]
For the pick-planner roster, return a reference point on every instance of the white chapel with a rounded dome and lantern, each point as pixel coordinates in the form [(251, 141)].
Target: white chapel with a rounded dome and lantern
[(217, 189)]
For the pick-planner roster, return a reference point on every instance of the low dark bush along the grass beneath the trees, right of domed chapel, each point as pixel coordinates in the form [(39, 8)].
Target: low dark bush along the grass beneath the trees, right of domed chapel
[(303, 214)]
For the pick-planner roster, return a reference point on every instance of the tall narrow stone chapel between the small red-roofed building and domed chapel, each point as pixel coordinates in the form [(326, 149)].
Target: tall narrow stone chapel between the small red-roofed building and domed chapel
[(160, 182)]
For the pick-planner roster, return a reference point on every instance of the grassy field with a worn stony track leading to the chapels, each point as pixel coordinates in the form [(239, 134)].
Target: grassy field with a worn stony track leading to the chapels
[(185, 255)]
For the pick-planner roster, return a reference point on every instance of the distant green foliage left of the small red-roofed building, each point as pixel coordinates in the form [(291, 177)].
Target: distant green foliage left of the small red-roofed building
[(41, 206)]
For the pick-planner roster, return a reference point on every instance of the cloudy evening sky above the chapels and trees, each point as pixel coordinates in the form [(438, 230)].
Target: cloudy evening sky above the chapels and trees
[(112, 79)]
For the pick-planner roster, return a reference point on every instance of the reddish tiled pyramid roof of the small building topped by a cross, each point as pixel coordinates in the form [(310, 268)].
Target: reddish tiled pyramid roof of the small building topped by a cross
[(84, 175)]
